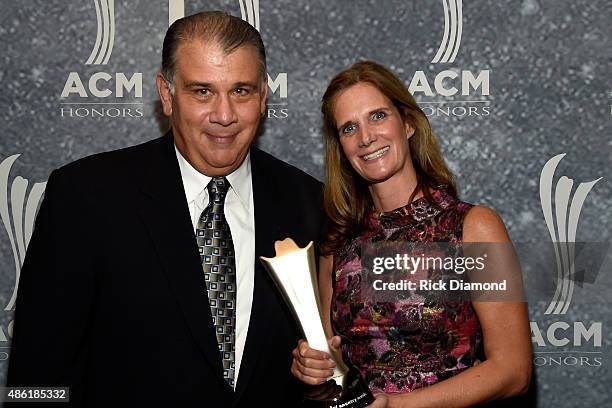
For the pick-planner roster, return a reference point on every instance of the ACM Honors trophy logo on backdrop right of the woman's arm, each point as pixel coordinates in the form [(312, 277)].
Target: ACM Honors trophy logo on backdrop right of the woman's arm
[(562, 204)]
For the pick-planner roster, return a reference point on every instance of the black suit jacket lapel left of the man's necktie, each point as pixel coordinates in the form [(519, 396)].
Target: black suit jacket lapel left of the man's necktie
[(165, 213)]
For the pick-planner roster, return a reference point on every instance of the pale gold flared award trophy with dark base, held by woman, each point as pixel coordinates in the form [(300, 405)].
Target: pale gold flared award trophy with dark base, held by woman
[(295, 273)]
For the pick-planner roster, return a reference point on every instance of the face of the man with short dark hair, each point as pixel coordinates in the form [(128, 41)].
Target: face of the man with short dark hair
[(216, 105)]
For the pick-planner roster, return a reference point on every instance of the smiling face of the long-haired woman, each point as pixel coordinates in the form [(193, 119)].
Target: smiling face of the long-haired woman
[(372, 133)]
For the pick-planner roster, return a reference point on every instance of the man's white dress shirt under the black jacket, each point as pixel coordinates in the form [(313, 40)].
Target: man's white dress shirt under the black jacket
[(239, 213)]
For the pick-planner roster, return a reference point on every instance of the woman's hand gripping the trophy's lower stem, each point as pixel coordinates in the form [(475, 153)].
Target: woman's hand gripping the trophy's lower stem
[(313, 366)]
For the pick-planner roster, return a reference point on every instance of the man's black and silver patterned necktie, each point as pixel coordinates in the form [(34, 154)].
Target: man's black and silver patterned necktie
[(219, 264)]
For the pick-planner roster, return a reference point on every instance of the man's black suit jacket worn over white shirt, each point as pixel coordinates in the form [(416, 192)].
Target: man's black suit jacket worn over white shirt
[(112, 300)]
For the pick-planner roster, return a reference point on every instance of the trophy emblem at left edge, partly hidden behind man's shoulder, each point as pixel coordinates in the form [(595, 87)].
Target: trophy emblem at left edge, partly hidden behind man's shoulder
[(18, 206)]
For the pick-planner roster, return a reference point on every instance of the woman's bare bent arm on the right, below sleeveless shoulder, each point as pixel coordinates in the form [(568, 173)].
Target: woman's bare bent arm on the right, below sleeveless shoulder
[(507, 341)]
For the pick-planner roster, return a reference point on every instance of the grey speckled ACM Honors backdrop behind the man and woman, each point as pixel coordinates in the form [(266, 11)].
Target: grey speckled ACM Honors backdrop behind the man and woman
[(519, 93)]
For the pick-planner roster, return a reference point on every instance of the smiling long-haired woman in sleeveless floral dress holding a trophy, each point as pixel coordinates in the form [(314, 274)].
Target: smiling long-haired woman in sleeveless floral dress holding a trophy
[(386, 180)]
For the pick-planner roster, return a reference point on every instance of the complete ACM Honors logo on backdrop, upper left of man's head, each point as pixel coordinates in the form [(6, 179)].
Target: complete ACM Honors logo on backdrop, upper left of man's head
[(107, 88)]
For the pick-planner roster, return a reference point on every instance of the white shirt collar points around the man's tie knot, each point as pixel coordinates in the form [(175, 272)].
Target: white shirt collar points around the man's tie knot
[(195, 182)]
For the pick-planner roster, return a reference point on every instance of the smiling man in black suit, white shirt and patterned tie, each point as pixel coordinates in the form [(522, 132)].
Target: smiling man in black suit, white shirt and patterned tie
[(142, 283)]
